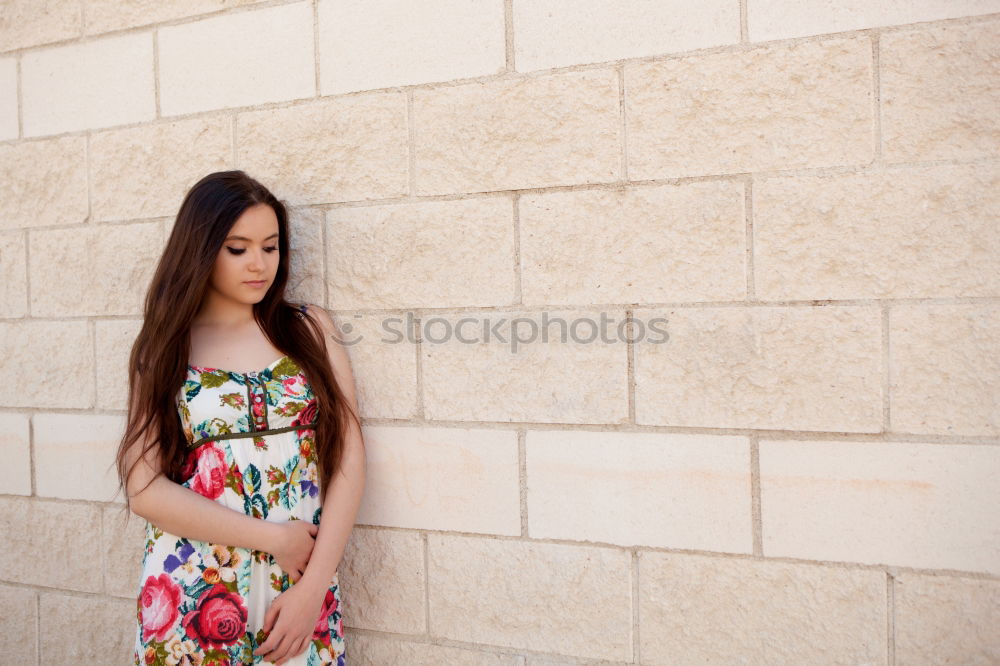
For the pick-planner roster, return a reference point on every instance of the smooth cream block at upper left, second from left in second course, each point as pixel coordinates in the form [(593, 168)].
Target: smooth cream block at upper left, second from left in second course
[(88, 85)]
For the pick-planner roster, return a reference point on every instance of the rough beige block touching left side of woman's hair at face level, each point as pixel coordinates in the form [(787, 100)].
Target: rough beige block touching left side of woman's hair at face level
[(93, 270)]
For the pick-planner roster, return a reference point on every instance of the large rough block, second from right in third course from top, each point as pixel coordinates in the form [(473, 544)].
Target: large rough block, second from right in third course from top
[(807, 104)]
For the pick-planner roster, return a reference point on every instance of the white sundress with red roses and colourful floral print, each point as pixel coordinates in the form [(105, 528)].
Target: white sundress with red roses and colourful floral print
[(251, 449)]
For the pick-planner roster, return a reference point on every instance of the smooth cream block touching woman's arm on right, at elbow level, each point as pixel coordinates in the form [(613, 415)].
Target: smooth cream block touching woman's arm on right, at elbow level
[(461, 480)]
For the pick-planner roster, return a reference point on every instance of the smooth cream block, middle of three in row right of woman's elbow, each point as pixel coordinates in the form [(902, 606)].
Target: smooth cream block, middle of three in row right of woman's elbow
[(648, 489)]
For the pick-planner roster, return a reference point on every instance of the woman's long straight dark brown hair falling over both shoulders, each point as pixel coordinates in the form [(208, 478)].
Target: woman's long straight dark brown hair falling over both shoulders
[(158, 361)]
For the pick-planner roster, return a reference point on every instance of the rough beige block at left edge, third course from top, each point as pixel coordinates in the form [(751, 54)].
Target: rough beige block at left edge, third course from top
[(43, 182)]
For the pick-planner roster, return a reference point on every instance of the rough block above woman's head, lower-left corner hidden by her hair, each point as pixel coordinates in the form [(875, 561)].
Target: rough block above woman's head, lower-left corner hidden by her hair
[(342, 149)]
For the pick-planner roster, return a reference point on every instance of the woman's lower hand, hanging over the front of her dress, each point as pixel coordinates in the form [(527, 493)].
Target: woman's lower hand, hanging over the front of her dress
[(289, 623)]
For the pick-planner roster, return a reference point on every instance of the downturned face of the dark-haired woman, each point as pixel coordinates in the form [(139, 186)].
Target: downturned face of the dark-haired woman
[(248, 261)]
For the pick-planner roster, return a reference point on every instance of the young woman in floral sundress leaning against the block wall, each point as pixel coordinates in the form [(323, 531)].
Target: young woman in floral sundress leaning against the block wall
[(242, 432)]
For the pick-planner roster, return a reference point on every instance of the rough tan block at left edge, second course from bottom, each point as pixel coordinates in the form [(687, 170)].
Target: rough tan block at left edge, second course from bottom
[(53, 544)]
